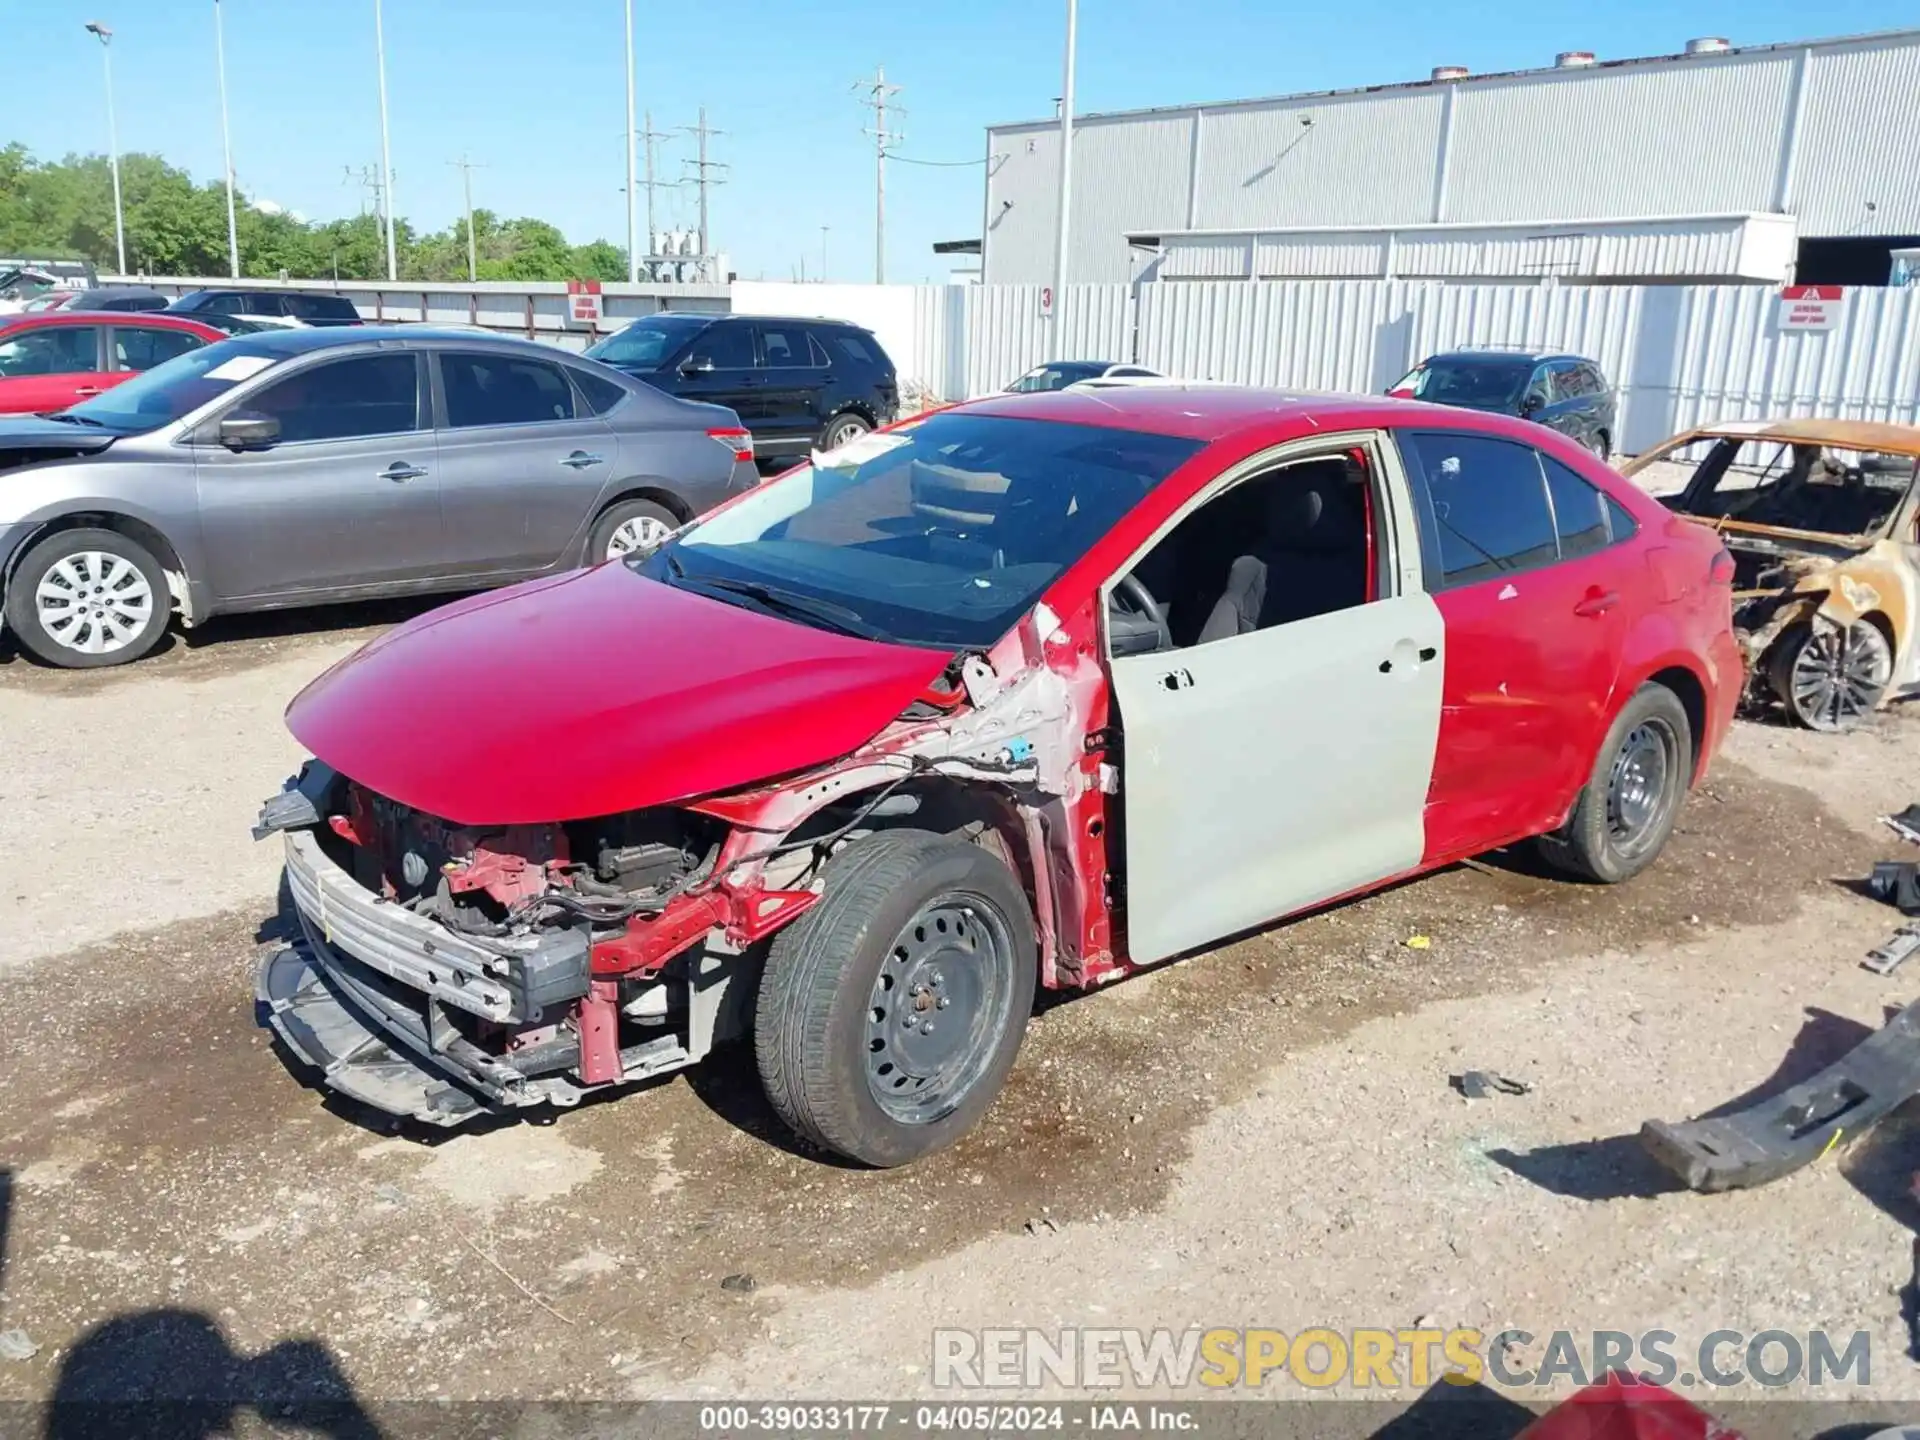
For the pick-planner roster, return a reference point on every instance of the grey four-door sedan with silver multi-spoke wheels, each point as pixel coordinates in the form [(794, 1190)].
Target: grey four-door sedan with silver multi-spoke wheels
[(327, 464)]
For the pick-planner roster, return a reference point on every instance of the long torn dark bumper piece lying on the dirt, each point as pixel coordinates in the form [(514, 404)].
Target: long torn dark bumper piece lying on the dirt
[(1798, 1126)]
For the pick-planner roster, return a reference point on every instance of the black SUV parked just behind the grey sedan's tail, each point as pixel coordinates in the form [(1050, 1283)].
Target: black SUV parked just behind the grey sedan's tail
[(796, 385)]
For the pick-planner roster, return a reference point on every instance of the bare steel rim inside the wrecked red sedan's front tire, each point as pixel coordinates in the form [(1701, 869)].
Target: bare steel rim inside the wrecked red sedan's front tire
[(938, 1009)]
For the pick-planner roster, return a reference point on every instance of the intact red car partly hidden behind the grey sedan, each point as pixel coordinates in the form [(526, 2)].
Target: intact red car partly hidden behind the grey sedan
[(51, 360)]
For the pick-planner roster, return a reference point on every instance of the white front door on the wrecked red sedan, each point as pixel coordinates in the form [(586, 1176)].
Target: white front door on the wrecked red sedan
[(1278, 769)]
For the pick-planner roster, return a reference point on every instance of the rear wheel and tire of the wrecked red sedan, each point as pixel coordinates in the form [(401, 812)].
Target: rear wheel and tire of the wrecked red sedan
[(1618, 828)]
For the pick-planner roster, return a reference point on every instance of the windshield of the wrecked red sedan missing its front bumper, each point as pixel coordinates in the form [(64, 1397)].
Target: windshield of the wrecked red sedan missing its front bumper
[(940, 535)]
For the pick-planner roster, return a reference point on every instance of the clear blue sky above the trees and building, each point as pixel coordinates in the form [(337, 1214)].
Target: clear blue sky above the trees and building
[(535, 93)]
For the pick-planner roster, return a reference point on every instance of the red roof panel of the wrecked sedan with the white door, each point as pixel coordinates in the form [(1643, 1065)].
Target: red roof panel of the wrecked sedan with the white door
[(1220, 412)]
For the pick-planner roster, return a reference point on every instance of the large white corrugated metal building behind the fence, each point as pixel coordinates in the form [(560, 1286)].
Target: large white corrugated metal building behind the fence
[(1716, 164)]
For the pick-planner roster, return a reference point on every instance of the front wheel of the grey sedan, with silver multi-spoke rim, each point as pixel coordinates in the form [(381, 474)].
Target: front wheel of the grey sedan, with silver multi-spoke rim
[(120, 600)]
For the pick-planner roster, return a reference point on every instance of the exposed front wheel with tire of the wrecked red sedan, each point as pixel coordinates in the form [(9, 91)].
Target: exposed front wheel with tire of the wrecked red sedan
[(842, 1063)]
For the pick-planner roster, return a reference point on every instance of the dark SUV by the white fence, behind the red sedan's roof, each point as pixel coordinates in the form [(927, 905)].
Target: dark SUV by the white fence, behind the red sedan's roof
[(1562, 393)]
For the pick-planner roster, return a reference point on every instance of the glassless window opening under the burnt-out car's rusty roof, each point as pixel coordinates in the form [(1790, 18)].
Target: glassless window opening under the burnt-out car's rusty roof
[(1796, 487)]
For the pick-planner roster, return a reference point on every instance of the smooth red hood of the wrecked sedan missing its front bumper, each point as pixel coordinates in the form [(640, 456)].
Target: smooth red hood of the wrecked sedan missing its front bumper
[(596, 692)]
